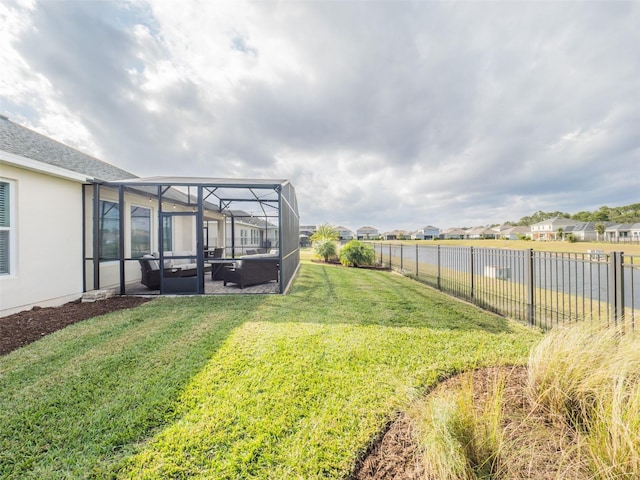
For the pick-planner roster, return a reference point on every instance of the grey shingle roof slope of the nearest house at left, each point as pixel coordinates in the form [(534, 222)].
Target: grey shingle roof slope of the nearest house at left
[(21, 141)]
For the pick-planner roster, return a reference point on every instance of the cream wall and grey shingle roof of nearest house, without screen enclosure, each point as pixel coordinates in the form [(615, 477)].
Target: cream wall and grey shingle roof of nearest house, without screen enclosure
[(41, 241)]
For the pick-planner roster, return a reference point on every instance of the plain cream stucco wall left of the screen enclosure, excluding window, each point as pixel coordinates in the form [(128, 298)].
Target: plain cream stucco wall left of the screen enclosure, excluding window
[(48, 229)]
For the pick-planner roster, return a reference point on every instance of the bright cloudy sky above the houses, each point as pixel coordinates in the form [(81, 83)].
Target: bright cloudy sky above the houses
[(391, 114)]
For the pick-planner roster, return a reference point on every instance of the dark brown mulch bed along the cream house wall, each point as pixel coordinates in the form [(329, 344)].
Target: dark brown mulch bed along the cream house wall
[(22, 328)]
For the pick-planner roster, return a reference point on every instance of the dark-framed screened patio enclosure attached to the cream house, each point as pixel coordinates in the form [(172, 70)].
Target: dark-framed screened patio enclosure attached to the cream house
[(180, 235)]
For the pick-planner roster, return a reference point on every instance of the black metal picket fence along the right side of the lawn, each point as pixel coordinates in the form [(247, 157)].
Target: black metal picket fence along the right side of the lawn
[(540, 288)]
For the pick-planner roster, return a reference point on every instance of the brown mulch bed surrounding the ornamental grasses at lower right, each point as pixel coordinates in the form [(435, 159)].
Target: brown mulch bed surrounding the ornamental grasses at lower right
[(534, 442)]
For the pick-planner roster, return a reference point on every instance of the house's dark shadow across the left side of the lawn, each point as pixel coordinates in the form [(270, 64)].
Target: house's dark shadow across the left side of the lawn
[(88, 393)]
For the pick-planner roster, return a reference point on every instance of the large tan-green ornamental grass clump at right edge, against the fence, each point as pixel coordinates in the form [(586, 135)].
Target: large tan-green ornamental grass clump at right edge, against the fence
[(589, 378)]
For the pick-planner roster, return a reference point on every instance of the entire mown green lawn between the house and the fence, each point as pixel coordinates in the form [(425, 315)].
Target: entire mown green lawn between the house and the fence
[(242, 387)]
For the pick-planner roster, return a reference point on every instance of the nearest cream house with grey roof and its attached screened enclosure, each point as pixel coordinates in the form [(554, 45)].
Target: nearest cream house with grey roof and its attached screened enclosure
[(71, 223)]
